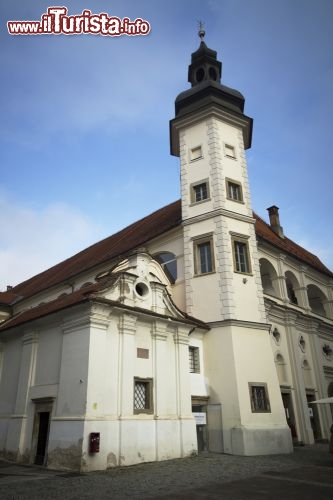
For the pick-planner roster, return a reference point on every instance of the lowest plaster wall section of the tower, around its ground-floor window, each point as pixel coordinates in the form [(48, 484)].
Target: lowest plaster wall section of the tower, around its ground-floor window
[(236, 356)]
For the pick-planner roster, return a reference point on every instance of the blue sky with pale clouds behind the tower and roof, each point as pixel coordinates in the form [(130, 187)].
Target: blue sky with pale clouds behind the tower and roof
[(84, 120)]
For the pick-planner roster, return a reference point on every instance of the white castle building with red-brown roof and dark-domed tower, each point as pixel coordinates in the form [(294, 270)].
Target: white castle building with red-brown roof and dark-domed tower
[(199, 327)]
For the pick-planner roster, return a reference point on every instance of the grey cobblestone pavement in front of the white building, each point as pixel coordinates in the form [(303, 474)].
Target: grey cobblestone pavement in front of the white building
[(305, 474)]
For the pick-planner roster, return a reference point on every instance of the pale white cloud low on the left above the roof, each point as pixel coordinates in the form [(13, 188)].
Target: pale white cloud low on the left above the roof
[(34, 239)]
